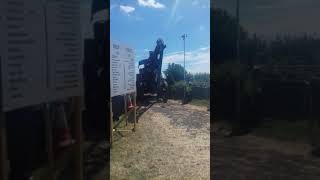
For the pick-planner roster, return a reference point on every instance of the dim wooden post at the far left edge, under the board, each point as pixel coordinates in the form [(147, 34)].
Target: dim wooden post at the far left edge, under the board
[(3, 149)]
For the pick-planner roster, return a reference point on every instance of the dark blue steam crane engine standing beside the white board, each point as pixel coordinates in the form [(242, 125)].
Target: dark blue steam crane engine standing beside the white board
[(149, 79)]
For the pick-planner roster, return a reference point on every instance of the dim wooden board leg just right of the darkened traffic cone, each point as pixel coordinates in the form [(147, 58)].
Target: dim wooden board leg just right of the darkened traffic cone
[(77, 173)]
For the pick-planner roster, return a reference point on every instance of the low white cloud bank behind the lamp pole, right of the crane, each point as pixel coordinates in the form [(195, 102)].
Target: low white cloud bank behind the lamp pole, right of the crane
[(196, 61)]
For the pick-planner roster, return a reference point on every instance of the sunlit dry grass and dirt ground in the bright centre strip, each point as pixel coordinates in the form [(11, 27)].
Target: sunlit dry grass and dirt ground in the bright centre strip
[(172, 141)]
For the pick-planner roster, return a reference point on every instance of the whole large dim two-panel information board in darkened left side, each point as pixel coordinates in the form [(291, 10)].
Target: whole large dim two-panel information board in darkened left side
[(40, 52)]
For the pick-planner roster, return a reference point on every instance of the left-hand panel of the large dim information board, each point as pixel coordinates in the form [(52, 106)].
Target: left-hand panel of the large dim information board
[(22, 53)]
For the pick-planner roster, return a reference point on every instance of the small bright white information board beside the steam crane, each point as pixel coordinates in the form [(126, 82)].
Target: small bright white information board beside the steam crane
[(122, 69)]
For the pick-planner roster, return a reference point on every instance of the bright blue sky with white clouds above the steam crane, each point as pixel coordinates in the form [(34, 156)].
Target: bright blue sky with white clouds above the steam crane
[(139, 23)]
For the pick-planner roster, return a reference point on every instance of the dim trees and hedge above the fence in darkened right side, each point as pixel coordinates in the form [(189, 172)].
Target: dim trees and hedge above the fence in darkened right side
[(284, 49)]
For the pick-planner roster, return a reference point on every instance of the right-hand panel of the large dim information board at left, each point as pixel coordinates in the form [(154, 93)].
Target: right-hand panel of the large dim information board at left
[(65, 59)]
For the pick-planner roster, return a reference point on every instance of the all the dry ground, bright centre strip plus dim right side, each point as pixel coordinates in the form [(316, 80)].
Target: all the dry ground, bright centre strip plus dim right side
[(172, 142)]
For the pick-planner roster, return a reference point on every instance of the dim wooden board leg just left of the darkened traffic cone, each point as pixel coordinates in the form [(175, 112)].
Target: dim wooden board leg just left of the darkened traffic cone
[(49, 138)]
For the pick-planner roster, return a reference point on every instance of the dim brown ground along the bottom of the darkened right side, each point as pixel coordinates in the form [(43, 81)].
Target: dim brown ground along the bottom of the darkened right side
[(253, 157)]
